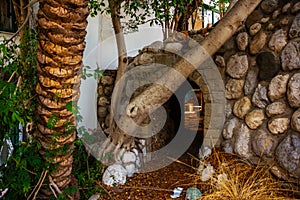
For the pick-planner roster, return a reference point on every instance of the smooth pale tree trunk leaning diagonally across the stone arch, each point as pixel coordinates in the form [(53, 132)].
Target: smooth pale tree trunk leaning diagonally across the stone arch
[(156, 94)]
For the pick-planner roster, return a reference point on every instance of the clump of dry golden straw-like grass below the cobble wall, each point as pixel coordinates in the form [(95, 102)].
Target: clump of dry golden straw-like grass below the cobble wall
[(243, 181)]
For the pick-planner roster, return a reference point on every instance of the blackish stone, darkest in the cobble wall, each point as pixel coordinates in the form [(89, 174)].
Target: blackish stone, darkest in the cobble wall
[(268, 66)]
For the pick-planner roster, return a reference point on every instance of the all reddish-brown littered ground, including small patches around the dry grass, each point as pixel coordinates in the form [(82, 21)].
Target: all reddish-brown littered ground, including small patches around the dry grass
[(159, 185)]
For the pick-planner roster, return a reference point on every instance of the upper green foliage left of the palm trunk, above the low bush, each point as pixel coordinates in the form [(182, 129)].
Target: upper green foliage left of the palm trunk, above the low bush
[(17, 83)]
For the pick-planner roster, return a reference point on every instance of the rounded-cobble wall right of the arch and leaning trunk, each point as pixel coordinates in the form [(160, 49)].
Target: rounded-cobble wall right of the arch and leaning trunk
[(262, 88)]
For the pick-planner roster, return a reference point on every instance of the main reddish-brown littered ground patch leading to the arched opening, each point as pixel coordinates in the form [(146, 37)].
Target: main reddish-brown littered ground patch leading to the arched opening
[(157, 185)]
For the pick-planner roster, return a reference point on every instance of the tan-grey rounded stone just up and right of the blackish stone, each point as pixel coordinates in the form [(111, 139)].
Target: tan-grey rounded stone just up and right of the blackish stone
[(278, 40)]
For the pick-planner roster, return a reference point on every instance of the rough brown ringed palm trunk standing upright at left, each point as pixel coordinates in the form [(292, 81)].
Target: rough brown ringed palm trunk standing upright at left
[(62, 29)]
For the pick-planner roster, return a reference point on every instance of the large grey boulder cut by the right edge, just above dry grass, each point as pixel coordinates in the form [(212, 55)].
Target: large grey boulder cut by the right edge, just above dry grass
[(288, 154)]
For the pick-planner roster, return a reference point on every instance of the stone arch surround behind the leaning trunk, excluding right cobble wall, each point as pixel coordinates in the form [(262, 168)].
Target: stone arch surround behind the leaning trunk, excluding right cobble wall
[(152, 62)]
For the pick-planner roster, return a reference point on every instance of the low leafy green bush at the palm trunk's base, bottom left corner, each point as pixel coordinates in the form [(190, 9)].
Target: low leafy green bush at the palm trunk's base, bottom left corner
[(22, 171)]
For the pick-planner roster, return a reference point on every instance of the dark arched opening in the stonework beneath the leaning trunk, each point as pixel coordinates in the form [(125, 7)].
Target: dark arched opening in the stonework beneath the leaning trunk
[(187, 110)]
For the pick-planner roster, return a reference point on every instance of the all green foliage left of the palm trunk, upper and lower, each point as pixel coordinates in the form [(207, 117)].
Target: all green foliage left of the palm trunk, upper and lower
[(17, 106)]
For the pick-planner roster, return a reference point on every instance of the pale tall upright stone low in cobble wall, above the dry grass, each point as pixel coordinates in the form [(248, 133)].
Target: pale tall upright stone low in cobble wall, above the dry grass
[(242, 142)]
